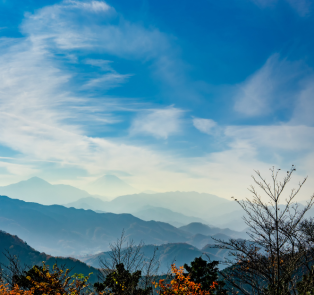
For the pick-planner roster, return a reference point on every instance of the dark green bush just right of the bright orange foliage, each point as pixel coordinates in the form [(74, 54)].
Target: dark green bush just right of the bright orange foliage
[(205, 273)]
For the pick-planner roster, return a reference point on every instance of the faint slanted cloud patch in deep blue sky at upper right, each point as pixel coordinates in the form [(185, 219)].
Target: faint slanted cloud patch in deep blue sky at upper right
[(272, 87)]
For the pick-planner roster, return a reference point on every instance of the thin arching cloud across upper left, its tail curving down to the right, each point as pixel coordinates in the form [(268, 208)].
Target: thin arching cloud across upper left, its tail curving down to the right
[(68, 26)]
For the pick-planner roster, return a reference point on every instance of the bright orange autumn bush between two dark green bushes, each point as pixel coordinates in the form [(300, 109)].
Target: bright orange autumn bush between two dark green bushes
[(182, 285)]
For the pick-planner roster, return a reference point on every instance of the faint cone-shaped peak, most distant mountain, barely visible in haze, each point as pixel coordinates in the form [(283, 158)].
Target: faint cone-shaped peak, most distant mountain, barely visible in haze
[(110, 185)]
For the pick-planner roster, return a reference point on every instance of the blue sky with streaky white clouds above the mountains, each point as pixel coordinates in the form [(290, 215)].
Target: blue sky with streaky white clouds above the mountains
[(167, 95)]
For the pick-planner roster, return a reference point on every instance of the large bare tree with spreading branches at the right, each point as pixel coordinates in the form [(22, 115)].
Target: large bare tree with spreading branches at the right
[(278, 250)]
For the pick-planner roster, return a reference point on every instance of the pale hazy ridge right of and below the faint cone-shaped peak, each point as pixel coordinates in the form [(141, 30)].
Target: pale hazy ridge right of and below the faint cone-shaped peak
[(176, 208)]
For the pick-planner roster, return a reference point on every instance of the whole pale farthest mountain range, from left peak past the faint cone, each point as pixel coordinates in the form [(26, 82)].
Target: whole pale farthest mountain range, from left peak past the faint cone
[(176, 208)]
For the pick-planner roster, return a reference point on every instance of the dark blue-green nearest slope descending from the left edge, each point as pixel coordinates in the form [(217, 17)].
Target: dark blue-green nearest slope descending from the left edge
[(28, 256)]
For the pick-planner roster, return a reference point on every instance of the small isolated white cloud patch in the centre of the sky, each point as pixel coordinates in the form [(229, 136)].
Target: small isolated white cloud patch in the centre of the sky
[(160, 123)]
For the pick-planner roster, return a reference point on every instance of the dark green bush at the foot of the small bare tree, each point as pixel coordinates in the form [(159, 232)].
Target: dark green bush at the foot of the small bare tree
[(121, 281)]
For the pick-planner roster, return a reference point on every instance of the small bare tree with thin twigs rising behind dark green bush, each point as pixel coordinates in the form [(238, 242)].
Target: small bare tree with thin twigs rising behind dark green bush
[(132, 256)]
